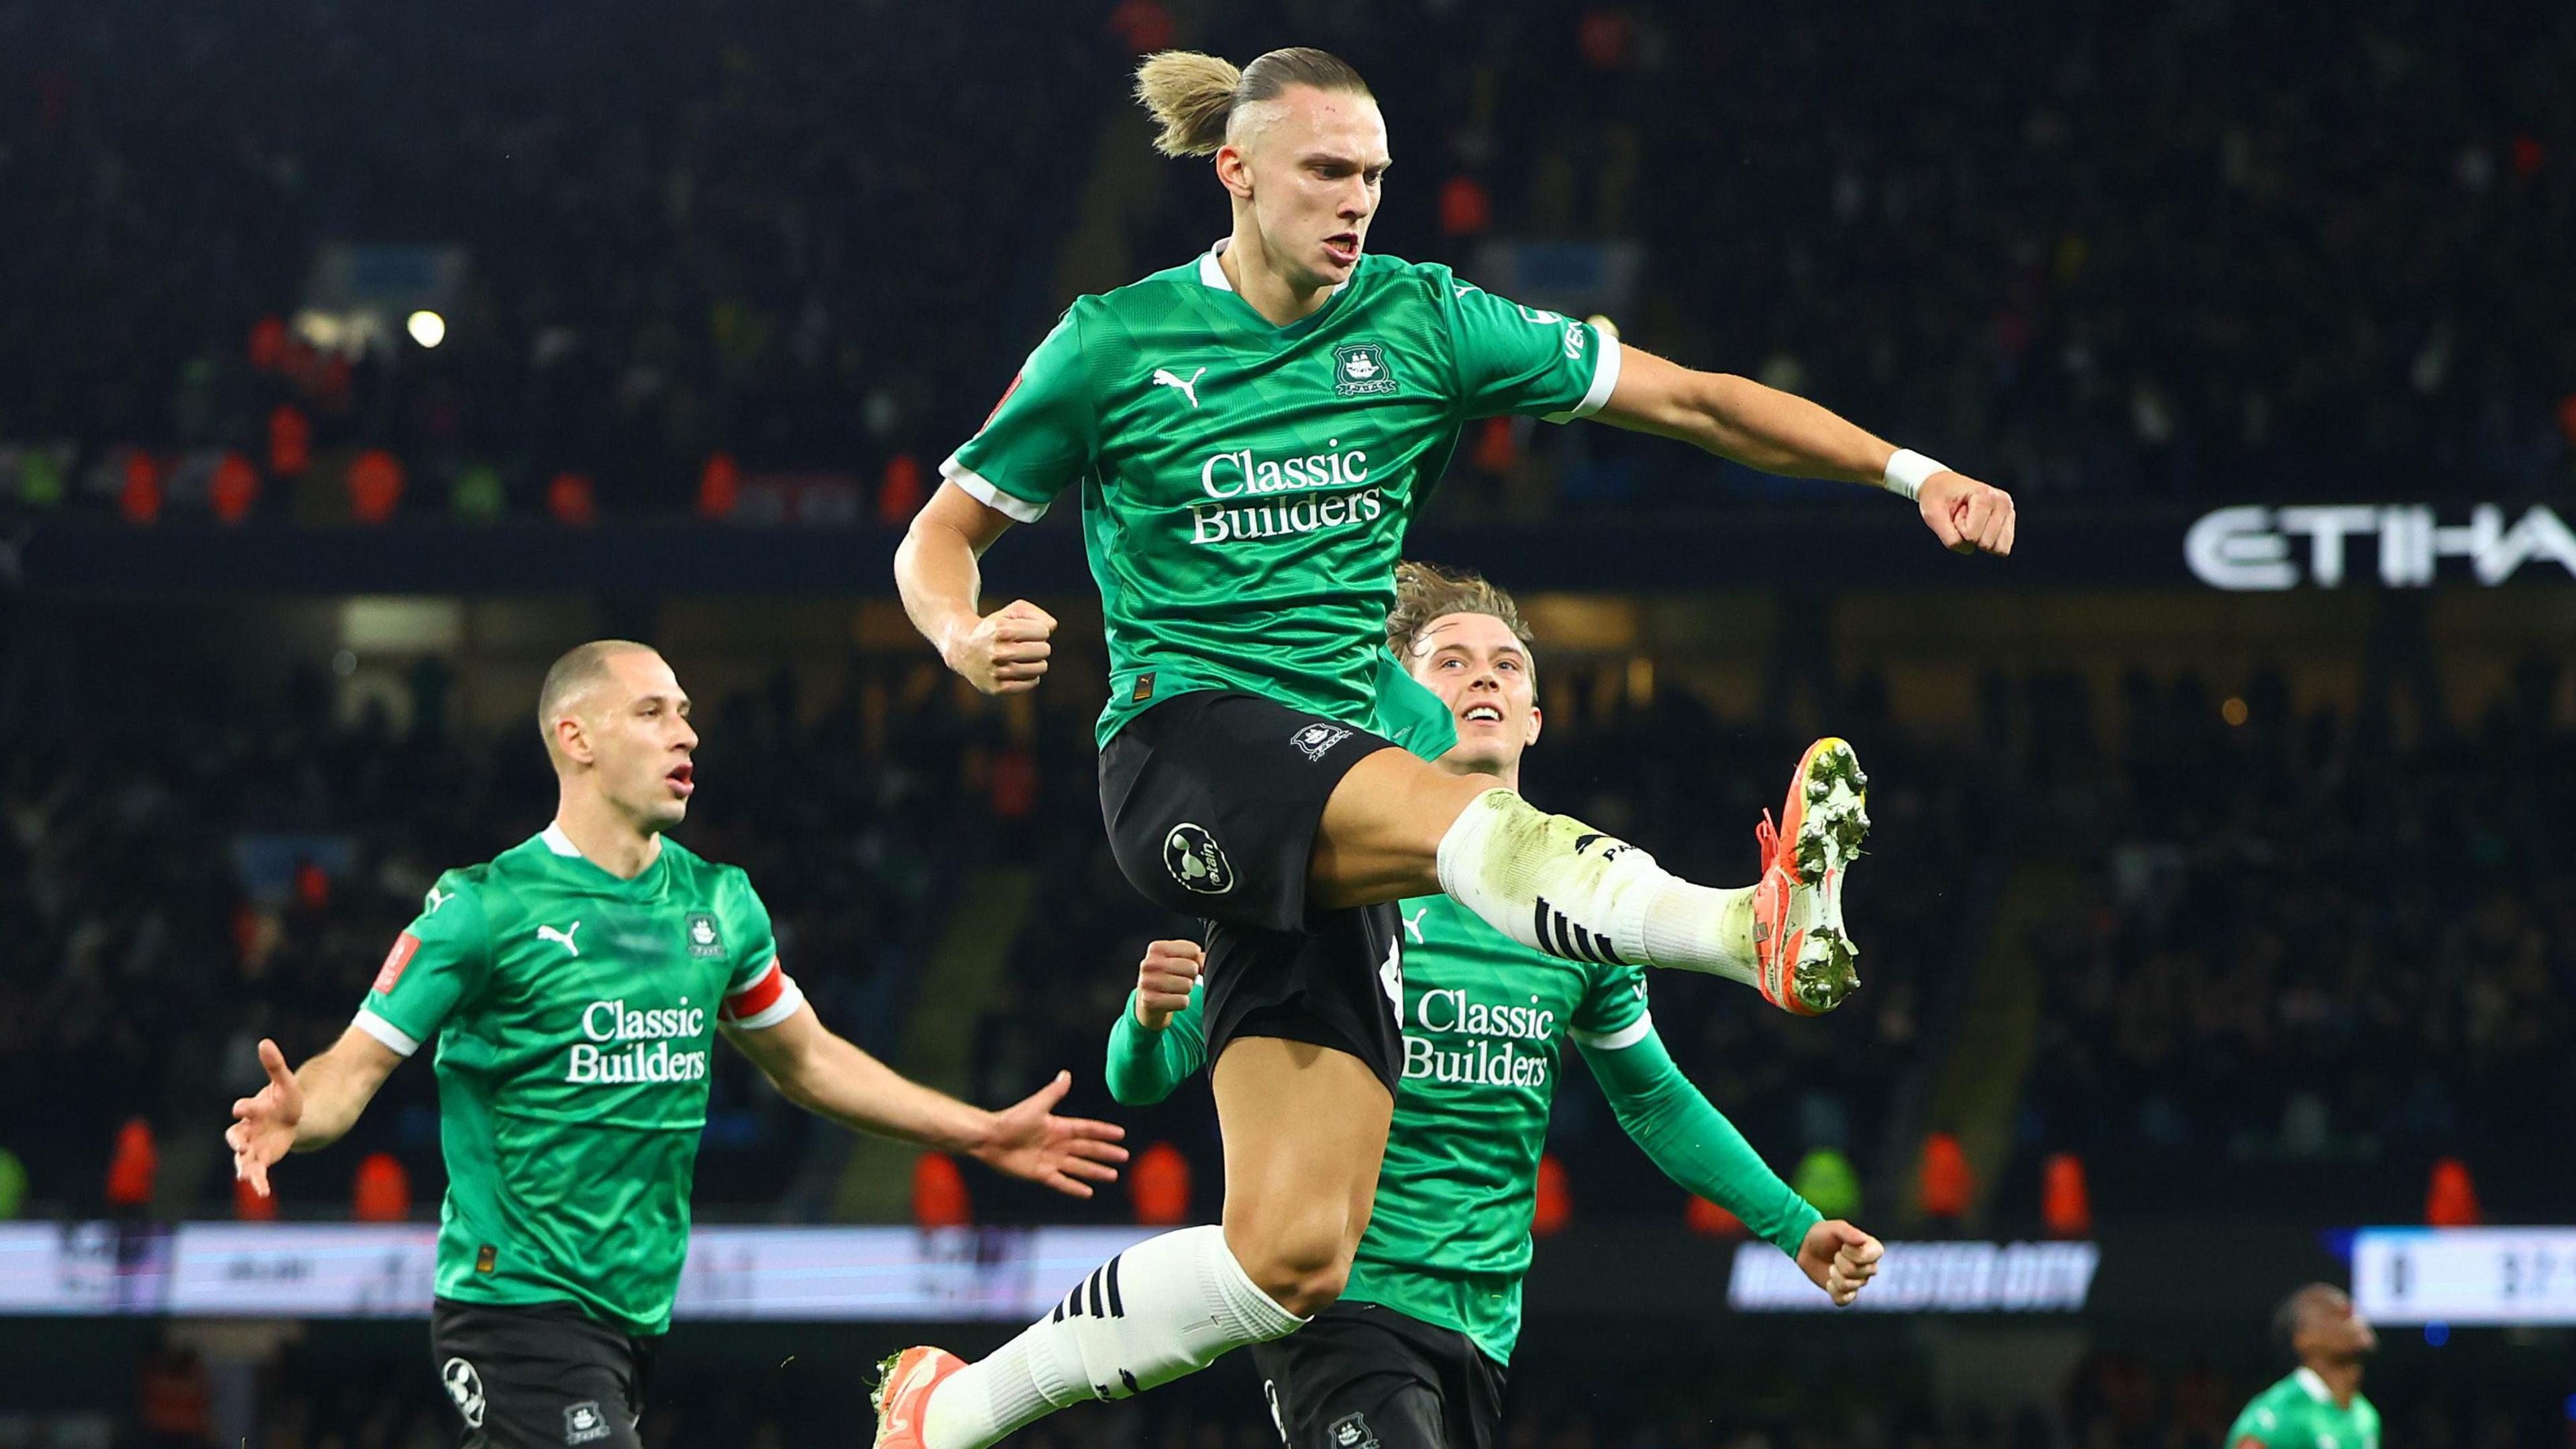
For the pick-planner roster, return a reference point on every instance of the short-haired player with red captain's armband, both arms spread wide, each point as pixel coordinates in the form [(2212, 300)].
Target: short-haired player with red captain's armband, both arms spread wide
[(576, 989)]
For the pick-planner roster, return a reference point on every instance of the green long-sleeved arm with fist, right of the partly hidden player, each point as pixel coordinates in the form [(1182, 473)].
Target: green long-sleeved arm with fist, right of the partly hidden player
[(1701, 1151)]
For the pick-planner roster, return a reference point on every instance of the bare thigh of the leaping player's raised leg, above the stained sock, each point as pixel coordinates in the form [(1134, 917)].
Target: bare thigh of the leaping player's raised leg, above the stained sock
[(1382, 831)]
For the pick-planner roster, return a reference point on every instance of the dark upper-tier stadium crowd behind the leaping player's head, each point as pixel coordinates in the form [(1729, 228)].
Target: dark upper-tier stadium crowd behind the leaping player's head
[(2178, 251)]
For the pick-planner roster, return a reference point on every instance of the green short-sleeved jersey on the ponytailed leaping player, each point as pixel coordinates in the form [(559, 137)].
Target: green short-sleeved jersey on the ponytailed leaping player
[(1245, 489)]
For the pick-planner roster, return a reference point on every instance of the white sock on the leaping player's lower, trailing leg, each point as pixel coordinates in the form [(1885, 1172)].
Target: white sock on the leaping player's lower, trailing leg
[(1160, 1311)]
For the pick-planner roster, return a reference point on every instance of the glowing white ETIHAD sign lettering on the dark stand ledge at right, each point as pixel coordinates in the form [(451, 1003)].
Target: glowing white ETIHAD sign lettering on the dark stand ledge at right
[(2260, 548)]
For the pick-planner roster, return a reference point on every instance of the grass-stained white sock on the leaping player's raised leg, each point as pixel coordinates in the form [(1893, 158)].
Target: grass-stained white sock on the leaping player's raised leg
[(1570, 891)]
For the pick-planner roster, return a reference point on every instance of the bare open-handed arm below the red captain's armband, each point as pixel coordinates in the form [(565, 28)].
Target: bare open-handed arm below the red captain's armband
[(831, 1076)]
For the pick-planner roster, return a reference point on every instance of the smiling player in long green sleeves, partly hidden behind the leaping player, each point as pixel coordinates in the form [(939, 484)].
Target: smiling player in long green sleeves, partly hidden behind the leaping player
[(1413, 1355)]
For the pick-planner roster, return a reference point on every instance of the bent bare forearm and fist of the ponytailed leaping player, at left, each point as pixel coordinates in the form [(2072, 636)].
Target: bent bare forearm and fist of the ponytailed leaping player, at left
[(942, 584)]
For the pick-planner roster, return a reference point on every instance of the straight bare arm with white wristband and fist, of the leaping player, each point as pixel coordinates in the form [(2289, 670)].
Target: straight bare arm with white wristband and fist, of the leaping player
[(1776, 432)]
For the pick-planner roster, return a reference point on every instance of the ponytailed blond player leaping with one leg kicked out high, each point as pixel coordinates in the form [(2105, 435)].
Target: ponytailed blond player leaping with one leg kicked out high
[(1251, 437)]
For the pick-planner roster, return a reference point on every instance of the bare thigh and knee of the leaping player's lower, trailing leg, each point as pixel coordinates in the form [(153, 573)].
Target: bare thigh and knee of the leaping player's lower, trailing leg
[(1305, 1136)]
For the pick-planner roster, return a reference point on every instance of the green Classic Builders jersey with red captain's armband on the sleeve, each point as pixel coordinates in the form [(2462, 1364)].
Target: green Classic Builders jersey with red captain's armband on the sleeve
[(576, 1015)]
